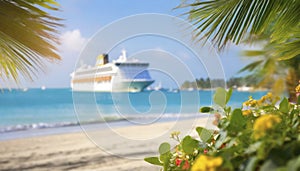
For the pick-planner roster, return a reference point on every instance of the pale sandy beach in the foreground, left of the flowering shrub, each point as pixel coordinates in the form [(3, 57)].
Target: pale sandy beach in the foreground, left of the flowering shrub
[(120, 148)]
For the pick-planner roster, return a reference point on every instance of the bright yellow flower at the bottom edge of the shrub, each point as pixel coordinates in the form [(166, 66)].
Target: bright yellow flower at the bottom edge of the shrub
[(207, 163)]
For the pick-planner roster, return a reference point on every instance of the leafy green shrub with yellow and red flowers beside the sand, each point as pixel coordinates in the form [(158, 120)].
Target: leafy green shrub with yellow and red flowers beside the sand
[(263, 134)]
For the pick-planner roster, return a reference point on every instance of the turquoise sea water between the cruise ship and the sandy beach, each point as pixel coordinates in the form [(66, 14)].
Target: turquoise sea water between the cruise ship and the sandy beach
[(36, 108)]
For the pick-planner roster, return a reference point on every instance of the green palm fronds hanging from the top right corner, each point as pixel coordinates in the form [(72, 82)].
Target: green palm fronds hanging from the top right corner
[(224, 21)]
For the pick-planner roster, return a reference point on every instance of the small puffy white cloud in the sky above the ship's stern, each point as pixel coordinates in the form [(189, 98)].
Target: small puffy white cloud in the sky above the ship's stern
[(72, 41)]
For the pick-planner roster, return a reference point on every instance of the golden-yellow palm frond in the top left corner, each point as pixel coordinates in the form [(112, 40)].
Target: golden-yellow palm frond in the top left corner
[(28, 37)]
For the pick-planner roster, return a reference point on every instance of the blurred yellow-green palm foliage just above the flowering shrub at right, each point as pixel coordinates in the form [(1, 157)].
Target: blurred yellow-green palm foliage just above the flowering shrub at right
[(278, 75)]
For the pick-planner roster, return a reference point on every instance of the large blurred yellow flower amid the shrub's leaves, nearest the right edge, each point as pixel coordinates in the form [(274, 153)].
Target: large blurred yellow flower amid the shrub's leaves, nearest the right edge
[(264, 123)]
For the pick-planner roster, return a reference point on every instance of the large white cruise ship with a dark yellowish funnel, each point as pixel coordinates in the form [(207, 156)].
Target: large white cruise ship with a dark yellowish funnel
[(121, 75)]
